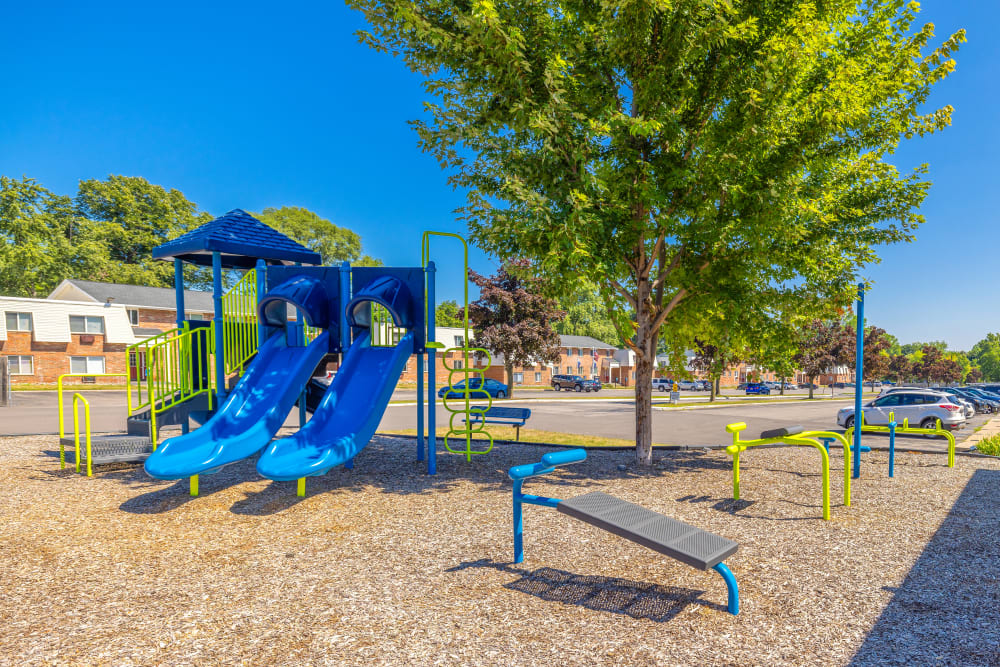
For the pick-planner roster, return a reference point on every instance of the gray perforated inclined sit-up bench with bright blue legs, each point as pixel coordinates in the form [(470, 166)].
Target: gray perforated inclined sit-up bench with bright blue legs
[(670, 537)]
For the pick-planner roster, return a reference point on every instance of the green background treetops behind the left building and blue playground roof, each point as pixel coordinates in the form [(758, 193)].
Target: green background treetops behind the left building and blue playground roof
[(107, 232)]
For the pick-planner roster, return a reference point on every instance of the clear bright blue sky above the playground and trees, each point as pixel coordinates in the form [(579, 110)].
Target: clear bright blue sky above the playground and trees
[(252, 104)]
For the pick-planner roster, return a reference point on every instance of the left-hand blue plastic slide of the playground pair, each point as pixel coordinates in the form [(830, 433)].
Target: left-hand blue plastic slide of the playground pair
[(250, 415)]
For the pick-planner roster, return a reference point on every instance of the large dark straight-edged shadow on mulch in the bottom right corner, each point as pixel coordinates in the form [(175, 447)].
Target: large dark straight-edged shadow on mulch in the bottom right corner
[(947, 610)]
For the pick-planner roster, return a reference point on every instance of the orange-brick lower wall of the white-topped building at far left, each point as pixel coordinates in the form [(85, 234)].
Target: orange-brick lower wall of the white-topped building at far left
[(50, 360)]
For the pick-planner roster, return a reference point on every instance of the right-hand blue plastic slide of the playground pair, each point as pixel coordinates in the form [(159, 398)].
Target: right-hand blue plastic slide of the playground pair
[(345, 420)]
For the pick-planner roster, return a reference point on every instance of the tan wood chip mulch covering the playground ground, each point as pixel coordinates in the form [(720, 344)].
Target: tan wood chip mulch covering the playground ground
[(385, 565)]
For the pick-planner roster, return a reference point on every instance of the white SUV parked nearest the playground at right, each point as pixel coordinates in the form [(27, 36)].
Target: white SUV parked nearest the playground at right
[(922, 407)]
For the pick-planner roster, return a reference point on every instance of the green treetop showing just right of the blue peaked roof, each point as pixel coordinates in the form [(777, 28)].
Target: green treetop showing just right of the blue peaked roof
[(335, 244)]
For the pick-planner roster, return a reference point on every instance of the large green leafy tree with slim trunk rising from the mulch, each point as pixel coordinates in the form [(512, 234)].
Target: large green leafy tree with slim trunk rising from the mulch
[(682, 153)]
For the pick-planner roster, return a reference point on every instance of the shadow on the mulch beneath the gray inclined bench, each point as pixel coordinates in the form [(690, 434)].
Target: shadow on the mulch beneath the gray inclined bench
[(636, 599)]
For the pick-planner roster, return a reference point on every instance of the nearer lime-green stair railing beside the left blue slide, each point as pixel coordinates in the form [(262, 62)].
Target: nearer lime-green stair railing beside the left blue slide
[(178, 369)]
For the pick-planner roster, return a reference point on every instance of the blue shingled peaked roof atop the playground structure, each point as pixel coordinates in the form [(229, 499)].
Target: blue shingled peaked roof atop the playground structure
[(241, 239)]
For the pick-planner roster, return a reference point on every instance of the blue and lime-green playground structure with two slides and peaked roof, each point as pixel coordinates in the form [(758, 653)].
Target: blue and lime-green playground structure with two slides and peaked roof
[(241, 374)]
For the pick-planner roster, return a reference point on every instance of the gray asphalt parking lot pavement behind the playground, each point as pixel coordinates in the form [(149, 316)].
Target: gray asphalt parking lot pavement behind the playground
[(610, 416)]
